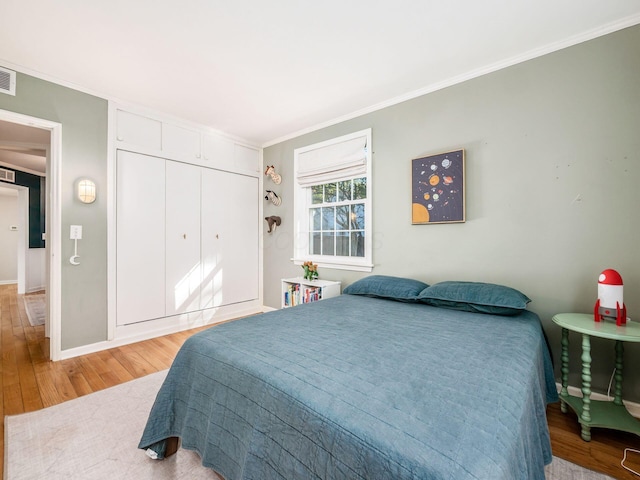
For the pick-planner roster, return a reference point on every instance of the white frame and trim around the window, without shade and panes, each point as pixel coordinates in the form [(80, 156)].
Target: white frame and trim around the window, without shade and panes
[(302, 203)]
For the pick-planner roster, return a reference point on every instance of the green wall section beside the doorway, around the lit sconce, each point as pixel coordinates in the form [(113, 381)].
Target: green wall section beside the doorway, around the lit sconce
[(84, 154)]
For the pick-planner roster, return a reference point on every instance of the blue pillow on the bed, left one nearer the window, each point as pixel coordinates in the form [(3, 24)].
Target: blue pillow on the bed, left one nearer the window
[(384, 286)]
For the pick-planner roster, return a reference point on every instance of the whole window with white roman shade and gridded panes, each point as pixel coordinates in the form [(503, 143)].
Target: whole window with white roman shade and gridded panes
[(332, 203)]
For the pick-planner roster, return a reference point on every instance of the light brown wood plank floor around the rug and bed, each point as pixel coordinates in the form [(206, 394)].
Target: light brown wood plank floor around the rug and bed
[(29, 381)]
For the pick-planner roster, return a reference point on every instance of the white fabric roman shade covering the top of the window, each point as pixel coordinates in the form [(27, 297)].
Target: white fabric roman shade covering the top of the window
[(330, 161)]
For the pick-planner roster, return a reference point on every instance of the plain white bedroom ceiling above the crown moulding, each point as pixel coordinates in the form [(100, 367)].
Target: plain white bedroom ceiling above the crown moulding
[(266, 70)]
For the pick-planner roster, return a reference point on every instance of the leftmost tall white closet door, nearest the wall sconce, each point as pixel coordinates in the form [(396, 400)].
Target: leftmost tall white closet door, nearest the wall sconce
[(140, 223)]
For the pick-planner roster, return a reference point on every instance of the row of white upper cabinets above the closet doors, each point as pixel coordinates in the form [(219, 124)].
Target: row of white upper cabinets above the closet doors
[(152, 136)]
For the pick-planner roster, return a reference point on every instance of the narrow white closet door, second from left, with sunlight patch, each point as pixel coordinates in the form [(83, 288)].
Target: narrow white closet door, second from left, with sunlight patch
[(182, 238)]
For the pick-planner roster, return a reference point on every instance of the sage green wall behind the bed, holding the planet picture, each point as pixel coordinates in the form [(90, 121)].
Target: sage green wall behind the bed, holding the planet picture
[(552, 168)]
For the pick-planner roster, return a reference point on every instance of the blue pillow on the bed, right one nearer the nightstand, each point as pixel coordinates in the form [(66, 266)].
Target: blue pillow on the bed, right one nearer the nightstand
[(475, 297)]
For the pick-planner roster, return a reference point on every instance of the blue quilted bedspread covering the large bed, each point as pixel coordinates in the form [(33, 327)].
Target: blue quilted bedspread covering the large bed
[(355, 387)]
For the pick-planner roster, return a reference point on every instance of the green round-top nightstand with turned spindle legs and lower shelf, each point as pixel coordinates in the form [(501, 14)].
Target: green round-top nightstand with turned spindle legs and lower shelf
[(594, 413)]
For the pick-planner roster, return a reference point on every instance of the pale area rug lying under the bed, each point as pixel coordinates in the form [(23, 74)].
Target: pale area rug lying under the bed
[(96, 437)]
